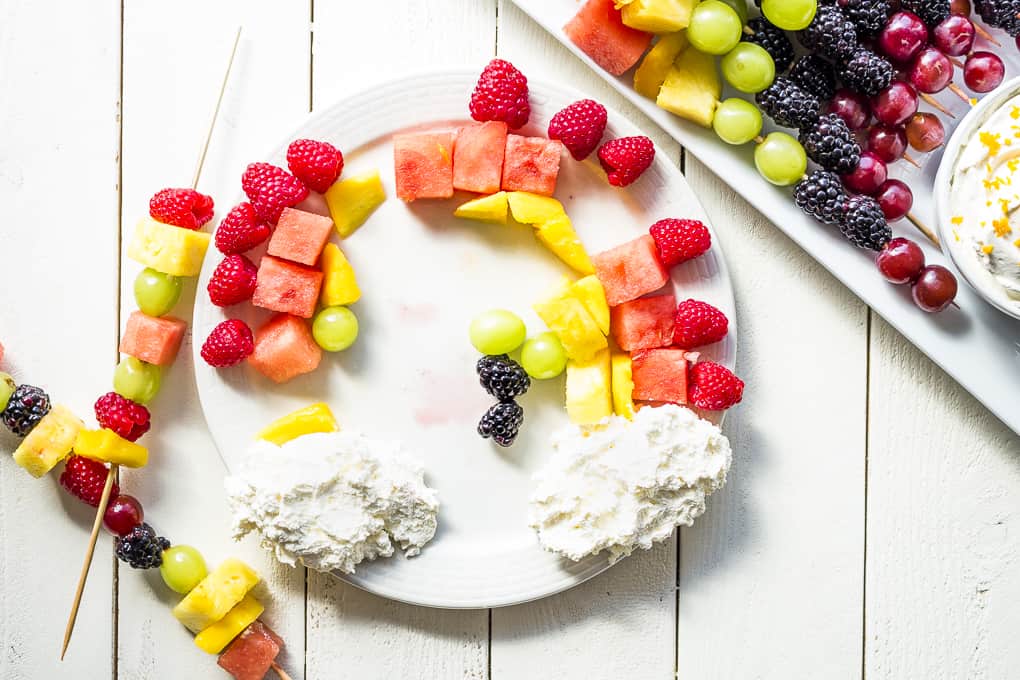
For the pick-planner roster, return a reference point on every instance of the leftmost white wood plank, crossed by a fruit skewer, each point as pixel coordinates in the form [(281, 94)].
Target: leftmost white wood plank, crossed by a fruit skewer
[(59, 237)]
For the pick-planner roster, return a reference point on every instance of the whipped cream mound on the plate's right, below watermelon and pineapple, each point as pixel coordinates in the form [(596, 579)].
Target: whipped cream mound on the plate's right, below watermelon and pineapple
[(625, 485)]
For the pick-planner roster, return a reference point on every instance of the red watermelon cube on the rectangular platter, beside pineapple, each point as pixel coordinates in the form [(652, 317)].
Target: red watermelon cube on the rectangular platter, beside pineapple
[(599, 32)]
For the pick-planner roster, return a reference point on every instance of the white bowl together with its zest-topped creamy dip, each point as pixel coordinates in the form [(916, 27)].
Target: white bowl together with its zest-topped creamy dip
[(978, 198)]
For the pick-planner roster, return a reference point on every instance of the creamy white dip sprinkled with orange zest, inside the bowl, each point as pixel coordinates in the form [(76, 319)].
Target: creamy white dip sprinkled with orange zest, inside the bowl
[(984, 203)]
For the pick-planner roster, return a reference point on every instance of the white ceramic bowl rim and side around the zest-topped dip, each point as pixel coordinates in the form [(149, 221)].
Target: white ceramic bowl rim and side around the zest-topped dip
[(965, 265)]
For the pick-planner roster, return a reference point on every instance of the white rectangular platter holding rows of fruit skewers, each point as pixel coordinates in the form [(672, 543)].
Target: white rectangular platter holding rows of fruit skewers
[(978, 345)]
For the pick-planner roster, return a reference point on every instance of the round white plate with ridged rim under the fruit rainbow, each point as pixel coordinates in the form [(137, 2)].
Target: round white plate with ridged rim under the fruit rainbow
[(425, 275)]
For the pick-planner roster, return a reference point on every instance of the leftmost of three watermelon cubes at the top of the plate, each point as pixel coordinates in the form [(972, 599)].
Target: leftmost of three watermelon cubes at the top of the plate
[(424, 166)]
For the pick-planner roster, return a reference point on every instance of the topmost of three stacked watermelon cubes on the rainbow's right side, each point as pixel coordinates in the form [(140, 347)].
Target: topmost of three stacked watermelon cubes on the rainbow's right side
[(631, 271)]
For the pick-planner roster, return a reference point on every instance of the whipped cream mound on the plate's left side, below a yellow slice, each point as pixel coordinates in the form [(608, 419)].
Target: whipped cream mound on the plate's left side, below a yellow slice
[(331, 501)]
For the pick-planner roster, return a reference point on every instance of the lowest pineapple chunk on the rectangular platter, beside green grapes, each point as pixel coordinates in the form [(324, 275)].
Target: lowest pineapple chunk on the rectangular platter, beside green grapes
[(693, 88)]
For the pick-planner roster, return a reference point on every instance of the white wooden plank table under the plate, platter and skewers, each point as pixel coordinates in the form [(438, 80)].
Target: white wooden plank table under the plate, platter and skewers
[(870, 528)]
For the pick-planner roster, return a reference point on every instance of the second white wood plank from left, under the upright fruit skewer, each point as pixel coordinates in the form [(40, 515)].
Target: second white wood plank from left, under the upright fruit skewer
[(175, 58)]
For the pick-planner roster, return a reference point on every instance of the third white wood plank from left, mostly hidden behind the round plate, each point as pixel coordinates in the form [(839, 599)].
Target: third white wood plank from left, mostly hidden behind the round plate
[(351, 634)]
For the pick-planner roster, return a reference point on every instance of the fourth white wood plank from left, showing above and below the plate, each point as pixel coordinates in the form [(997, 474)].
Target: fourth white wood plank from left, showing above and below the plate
[(623, 623)]
